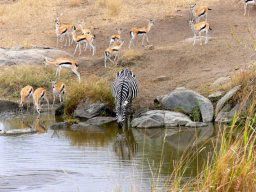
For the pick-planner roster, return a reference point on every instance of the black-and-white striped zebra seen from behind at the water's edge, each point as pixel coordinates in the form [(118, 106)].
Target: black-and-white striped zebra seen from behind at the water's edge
[(124, 90)]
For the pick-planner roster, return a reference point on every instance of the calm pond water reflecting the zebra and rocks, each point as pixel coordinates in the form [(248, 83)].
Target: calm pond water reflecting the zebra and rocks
[(93, 159)]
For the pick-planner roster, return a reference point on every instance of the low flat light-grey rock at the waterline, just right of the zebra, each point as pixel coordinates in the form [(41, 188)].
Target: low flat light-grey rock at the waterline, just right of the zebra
[(158, 118)]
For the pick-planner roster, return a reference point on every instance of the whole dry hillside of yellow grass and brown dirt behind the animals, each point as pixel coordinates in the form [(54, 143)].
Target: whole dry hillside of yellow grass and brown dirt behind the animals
[(232, 42)]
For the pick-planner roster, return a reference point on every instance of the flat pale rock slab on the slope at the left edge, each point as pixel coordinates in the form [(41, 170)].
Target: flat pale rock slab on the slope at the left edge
[(21, 55)]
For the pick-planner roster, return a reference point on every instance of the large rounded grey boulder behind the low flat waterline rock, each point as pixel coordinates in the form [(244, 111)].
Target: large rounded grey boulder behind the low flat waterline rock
[(187, 100)]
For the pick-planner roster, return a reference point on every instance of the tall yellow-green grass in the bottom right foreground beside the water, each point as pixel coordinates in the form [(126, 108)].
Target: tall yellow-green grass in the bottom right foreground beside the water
[(231, 168)]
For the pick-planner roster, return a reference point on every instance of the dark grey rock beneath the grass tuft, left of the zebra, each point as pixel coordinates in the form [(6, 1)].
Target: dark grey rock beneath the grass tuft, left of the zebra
[(85, 110)]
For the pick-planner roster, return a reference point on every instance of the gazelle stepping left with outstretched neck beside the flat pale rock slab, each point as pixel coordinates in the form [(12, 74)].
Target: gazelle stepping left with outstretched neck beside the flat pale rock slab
[(64, 62)]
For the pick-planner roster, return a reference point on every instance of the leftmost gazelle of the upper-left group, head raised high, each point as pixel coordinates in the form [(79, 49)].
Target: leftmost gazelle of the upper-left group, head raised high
[(62, 31)]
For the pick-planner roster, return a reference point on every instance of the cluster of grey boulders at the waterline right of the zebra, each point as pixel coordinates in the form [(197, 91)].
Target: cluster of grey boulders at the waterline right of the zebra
[(179, 105)]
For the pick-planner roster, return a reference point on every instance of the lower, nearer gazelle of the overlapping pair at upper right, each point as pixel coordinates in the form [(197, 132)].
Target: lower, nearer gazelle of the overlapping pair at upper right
[(198, 28)]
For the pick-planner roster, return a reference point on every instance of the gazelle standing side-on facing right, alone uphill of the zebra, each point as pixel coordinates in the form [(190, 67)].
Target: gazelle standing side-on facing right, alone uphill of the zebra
[(140, 31)]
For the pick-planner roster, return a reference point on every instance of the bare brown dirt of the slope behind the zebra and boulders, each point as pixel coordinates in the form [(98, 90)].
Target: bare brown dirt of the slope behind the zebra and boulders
[(231, 45)]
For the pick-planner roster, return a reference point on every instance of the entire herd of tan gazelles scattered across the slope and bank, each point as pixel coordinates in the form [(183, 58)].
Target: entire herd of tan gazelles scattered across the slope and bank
[(69, 33)]
